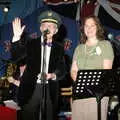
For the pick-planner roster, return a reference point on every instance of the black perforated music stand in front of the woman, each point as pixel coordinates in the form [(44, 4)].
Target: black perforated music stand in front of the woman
[(95, 83)]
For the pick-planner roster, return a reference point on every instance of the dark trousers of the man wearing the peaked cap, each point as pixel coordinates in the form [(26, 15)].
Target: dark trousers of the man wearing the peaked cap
[(33, 110)]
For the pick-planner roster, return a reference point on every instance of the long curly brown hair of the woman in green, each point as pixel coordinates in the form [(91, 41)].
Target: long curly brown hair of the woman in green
[(100, 29)]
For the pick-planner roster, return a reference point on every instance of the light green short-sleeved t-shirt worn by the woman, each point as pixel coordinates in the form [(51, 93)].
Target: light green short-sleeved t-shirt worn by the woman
[(91, 57)]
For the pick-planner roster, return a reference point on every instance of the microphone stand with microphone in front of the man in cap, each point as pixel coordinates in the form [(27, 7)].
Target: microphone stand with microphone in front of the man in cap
[(42, 115)]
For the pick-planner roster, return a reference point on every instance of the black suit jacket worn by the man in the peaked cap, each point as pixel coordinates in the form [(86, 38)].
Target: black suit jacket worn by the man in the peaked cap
[(32, 50)]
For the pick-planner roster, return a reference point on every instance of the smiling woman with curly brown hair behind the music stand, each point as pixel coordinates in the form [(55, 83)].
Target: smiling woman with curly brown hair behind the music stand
[(94, 52)]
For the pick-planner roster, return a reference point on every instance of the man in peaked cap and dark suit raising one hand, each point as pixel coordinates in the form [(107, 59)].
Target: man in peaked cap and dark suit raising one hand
[(40, 73)]
